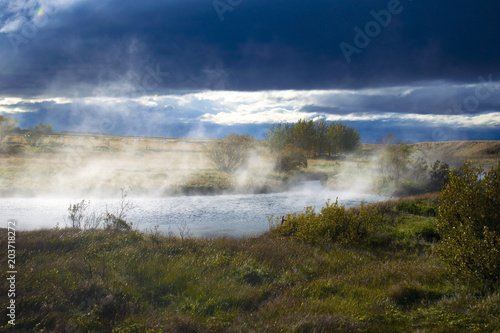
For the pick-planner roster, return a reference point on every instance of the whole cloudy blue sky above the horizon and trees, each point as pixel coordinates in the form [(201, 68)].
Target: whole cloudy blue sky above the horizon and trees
[(424, 70)]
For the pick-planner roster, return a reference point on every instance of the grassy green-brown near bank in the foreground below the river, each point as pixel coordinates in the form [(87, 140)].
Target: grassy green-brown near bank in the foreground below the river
[(103, 281)]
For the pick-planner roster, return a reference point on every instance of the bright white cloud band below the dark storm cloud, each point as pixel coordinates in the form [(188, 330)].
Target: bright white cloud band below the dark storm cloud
[(264, 107)]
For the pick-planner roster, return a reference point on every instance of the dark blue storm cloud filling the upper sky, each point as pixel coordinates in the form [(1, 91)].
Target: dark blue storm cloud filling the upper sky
[(259, 45)]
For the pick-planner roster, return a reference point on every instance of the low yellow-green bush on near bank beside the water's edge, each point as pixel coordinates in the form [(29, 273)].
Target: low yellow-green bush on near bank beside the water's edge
[(334, 224)]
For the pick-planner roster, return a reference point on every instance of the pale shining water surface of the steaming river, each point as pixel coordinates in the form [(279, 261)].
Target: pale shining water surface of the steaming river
[(233, 215)]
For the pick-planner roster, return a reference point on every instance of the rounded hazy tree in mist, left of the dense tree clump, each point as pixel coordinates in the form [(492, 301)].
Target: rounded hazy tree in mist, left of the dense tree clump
[(230, 153)]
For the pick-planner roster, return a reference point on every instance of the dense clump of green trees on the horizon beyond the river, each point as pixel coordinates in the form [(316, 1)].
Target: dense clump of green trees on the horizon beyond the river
[(316, 138)]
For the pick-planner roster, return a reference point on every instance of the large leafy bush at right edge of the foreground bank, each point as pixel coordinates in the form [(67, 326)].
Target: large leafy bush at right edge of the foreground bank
[(469, 224)]
